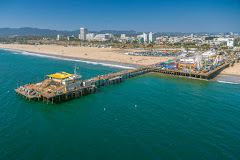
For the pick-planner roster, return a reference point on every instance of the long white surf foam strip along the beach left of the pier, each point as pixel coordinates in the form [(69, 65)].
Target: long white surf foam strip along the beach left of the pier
[(70, 59)]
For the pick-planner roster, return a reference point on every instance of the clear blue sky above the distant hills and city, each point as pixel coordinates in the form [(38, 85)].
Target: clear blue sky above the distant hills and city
[(138, 15)]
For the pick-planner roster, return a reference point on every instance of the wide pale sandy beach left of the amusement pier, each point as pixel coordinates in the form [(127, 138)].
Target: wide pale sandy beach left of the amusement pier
[(104, 54)]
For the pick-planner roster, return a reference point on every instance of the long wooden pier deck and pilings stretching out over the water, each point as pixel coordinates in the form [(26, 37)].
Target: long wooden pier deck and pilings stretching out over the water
[(110, 79)]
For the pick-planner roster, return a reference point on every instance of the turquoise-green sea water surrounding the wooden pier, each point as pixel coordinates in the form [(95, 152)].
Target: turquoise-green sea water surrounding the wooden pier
[(147, 117)]
